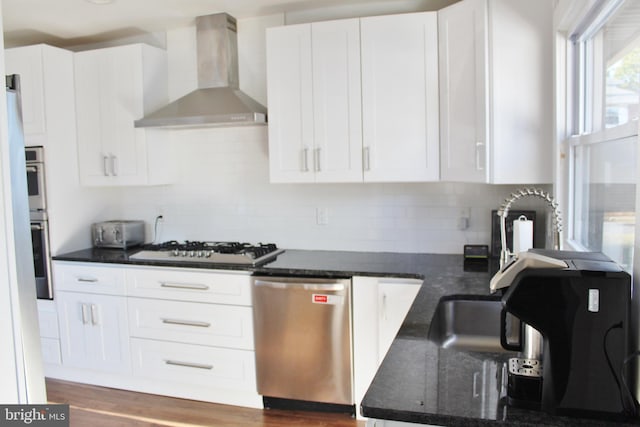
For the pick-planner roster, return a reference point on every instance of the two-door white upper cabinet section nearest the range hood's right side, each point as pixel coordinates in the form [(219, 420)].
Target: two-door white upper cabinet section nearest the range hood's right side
[(315, 132)]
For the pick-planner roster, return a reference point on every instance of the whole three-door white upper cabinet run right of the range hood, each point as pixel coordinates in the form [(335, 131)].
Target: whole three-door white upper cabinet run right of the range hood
[(354, 100)]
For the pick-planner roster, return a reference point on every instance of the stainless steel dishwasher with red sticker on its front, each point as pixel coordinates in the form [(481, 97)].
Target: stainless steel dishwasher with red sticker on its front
[(302, 330)]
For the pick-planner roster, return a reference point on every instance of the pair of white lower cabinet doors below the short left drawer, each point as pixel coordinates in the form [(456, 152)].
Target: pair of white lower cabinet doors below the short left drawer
[(93, 331)]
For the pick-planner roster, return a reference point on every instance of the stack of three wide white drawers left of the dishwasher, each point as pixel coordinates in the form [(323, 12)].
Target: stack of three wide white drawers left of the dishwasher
[(193, 330)]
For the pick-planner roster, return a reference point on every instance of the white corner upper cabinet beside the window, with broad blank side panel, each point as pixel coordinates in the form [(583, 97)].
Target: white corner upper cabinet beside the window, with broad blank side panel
[(496, 91)]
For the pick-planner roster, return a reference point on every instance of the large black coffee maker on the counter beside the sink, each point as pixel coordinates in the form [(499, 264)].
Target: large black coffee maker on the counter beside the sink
[(582, 311)]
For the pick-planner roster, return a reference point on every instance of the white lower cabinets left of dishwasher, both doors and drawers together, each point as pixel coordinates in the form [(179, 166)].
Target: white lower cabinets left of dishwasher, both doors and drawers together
[(179, 332)]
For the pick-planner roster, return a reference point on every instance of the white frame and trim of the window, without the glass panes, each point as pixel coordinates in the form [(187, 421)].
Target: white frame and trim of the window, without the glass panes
[(577, 24)]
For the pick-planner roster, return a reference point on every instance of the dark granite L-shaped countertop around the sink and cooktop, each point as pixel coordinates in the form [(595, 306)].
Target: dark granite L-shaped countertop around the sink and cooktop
[(417, 381)]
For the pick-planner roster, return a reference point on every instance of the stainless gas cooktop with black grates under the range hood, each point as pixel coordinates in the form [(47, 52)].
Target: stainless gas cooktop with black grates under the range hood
[(211, 252)]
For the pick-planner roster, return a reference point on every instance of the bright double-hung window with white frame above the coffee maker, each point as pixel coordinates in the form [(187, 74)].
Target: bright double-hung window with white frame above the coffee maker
[(605, 96)]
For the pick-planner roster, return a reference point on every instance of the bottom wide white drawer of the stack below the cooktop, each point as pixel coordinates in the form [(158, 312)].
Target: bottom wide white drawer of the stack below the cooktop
[(195, 365)]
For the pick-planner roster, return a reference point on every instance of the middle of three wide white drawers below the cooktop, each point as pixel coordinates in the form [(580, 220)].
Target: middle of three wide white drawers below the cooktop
[(189, 322)]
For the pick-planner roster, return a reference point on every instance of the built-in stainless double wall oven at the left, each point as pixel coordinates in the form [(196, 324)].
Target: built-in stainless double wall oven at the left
[(36, 189)]
